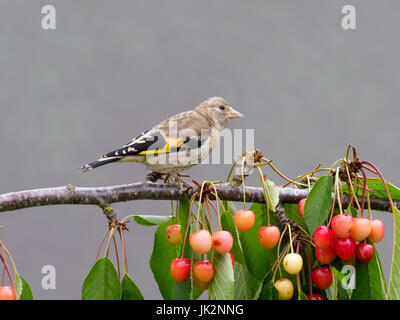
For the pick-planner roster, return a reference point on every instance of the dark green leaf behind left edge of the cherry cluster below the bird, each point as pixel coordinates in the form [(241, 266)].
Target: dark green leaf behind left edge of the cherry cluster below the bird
[(160, 261)]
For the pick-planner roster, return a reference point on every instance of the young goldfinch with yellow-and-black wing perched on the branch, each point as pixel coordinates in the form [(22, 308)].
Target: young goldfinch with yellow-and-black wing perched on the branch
[(178, 143)]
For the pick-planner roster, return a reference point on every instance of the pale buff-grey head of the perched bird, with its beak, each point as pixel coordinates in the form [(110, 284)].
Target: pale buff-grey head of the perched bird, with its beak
[(219, 111)]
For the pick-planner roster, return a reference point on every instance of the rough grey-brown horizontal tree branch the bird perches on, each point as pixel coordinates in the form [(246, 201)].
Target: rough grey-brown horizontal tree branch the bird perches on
[(104, 196)]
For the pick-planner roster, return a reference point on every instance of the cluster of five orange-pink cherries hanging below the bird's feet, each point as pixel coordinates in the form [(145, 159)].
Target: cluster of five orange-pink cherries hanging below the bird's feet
[(201, 242)]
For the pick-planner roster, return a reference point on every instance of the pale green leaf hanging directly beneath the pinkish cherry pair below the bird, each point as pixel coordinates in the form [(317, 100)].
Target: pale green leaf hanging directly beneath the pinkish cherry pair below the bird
[(222, 286)]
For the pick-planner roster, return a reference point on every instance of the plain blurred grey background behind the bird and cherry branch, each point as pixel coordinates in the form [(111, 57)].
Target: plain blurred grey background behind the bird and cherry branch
[(114, 68)]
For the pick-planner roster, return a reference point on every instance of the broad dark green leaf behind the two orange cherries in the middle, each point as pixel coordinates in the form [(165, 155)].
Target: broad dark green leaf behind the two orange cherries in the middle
[(258, 259)]
